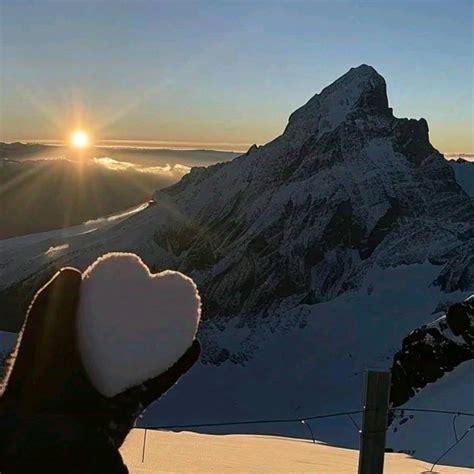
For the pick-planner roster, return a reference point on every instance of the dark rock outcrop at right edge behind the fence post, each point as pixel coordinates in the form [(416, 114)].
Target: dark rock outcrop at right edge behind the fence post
[(430, 351)]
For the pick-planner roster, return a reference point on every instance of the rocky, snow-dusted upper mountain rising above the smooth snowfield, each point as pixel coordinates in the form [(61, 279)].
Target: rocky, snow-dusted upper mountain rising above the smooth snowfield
[(301, 219)]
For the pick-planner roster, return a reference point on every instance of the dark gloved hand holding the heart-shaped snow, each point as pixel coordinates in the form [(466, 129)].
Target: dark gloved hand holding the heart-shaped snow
[(52, 419)]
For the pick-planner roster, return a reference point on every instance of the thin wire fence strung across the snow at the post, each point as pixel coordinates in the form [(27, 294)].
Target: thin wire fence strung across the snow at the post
[(307, 419)]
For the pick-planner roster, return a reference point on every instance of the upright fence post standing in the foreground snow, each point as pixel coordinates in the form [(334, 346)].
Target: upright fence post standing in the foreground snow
[(374, 424)]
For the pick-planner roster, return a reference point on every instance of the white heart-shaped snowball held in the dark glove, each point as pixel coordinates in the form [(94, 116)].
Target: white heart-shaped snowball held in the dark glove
[(133, 325)]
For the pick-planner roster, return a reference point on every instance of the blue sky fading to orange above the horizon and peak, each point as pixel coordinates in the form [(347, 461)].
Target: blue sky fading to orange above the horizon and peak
[(224, 74)]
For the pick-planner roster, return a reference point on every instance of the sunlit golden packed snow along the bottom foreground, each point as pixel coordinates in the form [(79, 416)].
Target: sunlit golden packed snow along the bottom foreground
[(191, 452)]
